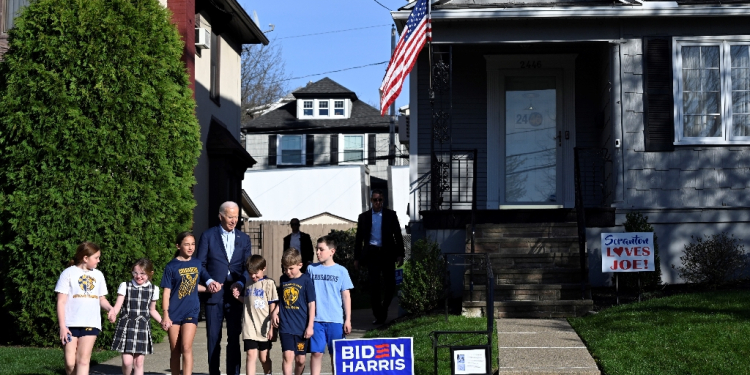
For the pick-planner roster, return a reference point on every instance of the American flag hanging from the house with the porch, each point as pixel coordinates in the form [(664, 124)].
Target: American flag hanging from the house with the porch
[(418, 30)]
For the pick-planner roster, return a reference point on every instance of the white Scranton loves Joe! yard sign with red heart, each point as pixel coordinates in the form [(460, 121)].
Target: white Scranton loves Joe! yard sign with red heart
[(628, 252)]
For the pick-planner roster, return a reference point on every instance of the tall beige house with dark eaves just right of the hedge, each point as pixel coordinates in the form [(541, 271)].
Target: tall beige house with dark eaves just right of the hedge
[(213, 62)]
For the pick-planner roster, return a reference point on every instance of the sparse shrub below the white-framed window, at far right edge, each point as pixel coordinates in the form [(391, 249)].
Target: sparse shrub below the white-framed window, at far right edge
[(713, 261)]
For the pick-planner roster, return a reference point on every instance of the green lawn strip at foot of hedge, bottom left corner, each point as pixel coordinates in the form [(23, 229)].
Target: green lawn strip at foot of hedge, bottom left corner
[(17, 360)]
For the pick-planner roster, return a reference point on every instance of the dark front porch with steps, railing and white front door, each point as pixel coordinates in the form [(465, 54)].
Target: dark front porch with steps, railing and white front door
[(512, 160)]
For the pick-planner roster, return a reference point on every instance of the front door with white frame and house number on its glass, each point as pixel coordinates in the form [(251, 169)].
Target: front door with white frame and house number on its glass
[(530, 132)]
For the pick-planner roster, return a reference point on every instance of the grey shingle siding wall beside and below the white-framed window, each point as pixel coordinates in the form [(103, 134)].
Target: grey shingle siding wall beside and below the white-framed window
[(689, 176)]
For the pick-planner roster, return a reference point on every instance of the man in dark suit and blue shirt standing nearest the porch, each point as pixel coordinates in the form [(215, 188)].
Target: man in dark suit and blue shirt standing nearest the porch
[(379, 246)]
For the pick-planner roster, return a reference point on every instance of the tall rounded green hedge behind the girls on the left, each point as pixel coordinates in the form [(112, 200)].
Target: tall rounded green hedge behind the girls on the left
[(98, 141)]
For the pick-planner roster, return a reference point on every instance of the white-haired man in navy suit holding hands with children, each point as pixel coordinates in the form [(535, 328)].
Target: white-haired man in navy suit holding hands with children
[(223, 250)]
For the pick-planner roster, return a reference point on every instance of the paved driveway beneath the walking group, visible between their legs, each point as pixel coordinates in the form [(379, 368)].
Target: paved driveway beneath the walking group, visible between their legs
[(158, 363)]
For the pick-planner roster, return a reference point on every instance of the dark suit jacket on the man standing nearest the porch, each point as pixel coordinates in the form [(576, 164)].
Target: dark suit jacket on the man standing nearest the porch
[(393, 242)]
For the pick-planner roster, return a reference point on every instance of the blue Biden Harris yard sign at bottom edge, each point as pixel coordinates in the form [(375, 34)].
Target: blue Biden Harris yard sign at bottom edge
[(393, 356)]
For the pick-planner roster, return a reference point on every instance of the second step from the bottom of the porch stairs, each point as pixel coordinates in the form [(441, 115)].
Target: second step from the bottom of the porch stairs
[(526, 292)]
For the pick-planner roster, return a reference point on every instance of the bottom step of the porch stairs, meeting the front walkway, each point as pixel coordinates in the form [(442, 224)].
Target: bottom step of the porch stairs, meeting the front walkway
[(530, 309)]
